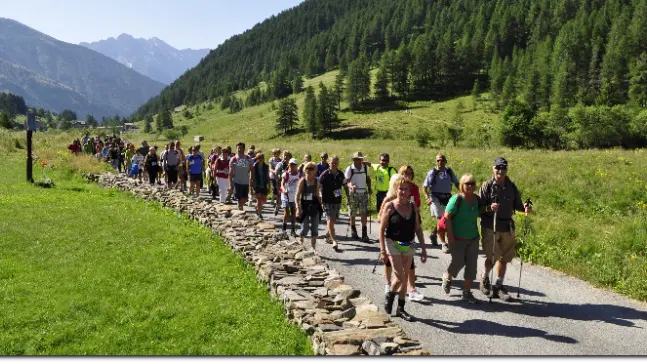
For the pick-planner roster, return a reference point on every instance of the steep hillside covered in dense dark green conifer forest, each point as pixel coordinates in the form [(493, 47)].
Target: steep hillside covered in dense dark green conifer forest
[(546, 54)]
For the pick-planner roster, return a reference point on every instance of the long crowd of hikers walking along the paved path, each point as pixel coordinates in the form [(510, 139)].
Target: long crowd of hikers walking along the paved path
[(308, 191)]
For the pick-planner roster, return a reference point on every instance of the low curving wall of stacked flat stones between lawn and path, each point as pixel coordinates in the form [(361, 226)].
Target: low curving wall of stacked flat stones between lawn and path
[(338, 319)]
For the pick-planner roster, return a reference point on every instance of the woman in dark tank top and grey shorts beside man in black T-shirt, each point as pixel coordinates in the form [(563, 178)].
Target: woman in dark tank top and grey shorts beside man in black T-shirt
[(309, 204)]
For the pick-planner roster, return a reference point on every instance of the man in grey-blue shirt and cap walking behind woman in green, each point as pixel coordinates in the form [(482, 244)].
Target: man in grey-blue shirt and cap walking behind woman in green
[(438, 191)]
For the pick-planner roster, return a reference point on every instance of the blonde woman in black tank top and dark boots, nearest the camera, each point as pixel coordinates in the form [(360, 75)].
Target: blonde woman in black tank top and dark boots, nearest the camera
[(399, 226)]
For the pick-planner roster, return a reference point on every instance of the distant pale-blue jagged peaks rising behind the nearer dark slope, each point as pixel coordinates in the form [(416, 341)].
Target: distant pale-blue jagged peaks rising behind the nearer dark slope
[(151, 57)]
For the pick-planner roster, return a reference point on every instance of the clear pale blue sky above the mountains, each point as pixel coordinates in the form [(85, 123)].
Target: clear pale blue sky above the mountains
[(183, 24)]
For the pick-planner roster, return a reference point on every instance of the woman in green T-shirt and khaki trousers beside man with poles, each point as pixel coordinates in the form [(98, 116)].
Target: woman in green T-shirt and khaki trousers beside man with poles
[(460, 223)]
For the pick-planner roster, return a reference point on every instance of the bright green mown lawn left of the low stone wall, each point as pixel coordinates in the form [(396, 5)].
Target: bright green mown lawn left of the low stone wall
[(86, 270)]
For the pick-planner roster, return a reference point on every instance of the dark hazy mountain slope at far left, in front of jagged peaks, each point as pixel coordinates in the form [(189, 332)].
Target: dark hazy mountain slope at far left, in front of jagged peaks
[(56, 75)]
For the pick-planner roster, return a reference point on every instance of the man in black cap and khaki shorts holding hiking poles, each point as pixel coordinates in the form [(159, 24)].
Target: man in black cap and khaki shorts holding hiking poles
[(499, 245)]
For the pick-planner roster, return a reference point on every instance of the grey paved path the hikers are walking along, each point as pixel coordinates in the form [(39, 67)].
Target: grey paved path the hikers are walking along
[(556, 314)]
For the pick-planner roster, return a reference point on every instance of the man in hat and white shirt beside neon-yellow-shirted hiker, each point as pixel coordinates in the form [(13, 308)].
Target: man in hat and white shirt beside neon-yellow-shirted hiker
[(359, 187)]
